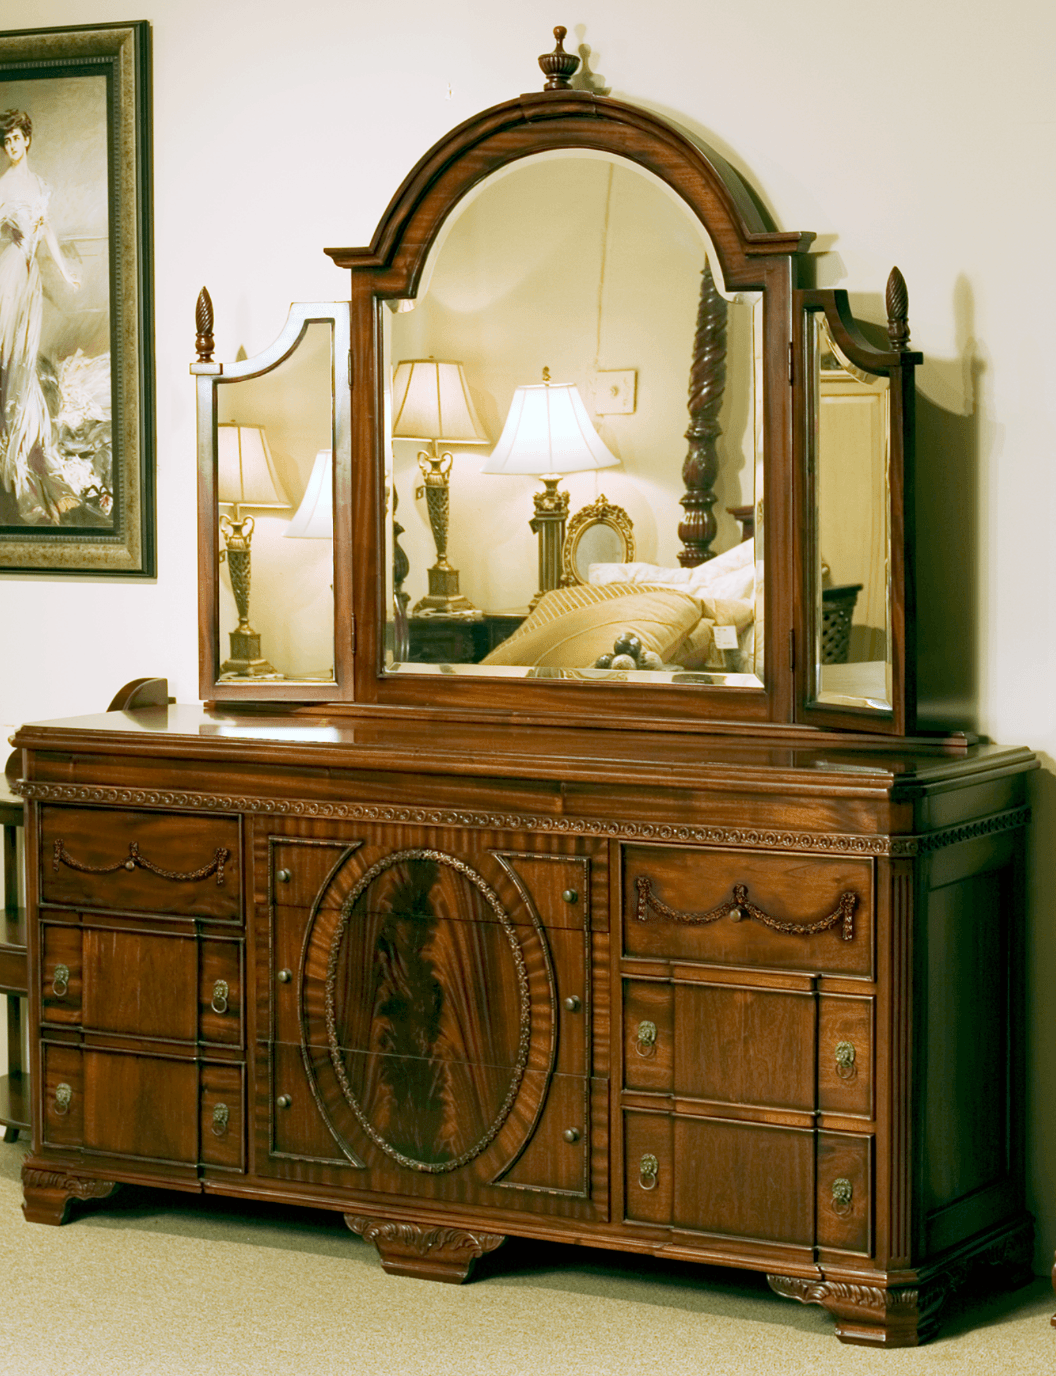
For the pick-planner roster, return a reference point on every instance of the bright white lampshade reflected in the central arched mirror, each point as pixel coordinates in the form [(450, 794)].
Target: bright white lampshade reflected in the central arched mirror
[(549, 431)]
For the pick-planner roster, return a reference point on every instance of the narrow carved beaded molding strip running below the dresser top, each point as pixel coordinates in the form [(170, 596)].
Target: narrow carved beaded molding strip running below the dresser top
[(823, 844)]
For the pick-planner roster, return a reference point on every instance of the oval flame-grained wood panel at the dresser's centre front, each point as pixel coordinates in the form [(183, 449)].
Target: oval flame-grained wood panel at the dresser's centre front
[(427, 1009)]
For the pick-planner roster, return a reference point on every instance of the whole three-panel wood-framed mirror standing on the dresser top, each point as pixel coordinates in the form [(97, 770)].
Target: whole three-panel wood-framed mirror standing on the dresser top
[(569, 302)]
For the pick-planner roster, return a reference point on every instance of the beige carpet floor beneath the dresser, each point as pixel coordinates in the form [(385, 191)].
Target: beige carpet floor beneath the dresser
[(158, 1283)]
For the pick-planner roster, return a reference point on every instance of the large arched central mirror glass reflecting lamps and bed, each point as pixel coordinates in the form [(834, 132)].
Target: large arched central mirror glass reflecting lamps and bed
[(569, 309)]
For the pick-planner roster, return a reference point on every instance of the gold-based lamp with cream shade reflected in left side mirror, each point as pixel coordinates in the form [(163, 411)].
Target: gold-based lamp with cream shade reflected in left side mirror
[(246, 478)]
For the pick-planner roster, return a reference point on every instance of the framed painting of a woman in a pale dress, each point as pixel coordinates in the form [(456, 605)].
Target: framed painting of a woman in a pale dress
[(76, 303)]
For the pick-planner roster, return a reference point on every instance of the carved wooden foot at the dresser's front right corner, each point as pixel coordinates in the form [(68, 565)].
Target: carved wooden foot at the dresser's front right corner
[(871, 1316)]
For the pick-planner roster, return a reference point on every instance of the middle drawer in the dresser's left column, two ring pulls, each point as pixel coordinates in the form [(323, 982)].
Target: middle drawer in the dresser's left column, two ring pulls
[(142, 985)]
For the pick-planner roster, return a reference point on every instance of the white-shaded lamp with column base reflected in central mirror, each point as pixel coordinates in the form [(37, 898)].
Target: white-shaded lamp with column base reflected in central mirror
[(547, 436)]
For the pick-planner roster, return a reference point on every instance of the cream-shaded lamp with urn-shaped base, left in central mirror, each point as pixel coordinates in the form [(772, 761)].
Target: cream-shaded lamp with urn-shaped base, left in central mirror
[(432, 402)]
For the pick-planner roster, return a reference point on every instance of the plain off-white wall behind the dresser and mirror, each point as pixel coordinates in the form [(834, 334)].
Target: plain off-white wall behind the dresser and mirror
[(912, 134)]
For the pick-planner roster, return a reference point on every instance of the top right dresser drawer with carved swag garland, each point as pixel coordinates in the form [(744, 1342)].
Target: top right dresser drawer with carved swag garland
[(748, 909)]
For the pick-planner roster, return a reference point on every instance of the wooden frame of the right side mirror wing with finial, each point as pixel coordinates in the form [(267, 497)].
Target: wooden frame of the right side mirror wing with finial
[(897, 364)]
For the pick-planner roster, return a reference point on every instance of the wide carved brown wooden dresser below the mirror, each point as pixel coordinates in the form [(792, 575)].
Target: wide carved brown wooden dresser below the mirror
[(737, 1002)]
